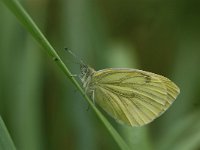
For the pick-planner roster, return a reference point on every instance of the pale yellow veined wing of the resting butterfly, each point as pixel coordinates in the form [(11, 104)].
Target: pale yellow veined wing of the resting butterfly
[(131, 96)]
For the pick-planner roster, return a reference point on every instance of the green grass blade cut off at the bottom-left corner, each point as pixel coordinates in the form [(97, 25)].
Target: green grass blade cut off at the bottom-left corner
[(6, 142)]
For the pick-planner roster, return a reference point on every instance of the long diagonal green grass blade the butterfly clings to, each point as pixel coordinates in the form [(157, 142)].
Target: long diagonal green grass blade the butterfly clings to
[(29, 24)]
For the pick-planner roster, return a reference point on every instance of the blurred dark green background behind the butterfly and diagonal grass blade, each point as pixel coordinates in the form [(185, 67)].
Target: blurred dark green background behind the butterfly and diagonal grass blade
[(42, 109)]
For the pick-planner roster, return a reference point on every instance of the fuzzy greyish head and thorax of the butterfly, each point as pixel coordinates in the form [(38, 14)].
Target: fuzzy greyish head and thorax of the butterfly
[(86, 76)]
